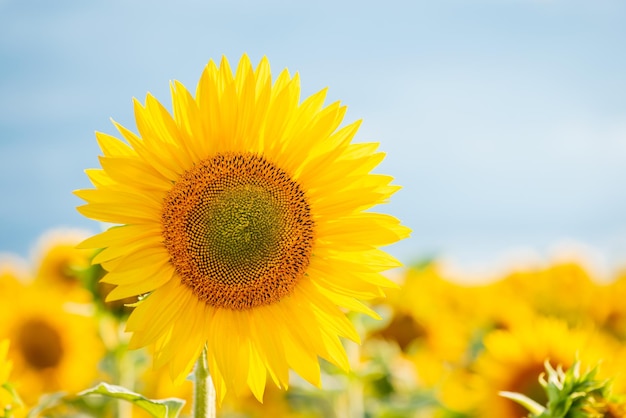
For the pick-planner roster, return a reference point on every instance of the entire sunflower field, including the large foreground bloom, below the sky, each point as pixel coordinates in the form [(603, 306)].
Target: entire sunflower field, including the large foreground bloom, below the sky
[(241, 272)]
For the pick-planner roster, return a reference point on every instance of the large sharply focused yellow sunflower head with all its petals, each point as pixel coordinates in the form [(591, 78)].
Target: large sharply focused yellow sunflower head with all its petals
[(244, 217)]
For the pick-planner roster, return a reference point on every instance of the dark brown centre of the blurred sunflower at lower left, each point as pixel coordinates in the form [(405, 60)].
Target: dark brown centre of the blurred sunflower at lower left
[(40, 344)]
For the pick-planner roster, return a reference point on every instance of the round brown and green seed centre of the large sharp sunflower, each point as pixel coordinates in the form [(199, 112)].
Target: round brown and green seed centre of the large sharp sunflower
[(239, 231)]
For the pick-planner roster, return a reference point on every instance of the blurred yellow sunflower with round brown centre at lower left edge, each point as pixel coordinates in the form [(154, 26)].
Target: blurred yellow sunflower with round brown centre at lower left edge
[(51, 349)]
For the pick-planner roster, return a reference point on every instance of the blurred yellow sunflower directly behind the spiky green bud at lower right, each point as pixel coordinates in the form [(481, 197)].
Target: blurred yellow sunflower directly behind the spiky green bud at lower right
[(513, 359)]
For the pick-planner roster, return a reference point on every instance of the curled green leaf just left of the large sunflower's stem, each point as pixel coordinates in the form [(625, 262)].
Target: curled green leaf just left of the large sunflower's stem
[(164, 408)]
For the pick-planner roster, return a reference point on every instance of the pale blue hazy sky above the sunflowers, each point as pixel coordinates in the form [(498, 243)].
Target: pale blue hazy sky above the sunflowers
[(503, 120)]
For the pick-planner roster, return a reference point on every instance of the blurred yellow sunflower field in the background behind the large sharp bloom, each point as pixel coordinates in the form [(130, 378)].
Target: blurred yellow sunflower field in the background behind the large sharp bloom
[(442, 348)]
